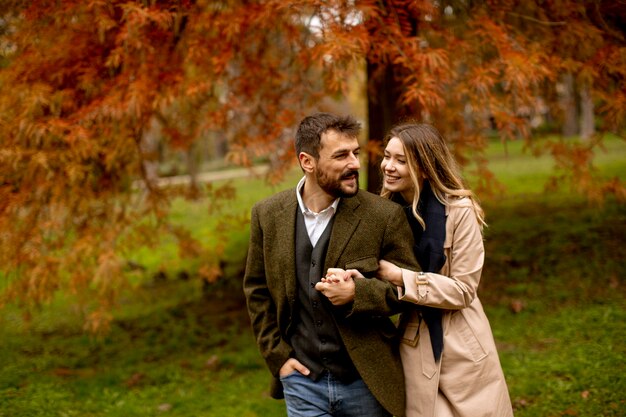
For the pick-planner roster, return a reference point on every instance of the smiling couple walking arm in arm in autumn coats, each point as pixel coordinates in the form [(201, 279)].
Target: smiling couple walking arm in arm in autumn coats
[(328, 264)]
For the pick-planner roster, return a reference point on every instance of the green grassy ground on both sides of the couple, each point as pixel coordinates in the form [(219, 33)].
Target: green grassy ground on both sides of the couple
[(553, 287)]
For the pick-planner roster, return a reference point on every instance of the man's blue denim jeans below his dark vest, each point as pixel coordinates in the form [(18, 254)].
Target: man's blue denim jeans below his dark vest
[(329, 397)]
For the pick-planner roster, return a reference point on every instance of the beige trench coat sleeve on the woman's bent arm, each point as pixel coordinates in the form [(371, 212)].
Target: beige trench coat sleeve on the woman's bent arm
[(455, 287)]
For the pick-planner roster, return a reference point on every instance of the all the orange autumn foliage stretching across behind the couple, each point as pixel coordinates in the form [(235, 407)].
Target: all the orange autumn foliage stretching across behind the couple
[(90, 89)]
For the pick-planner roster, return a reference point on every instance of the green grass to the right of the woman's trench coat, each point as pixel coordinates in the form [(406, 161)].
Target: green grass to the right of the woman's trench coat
[(563, 353)]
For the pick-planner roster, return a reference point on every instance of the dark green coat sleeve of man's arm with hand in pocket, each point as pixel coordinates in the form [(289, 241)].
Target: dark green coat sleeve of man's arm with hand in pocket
[(261, 307)]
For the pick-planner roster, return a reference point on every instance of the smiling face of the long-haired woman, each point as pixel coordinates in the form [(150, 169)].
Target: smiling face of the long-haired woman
[(396, 170)]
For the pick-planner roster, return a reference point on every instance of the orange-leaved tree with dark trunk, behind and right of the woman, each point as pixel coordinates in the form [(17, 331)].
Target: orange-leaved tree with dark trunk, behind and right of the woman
[(468, 65)]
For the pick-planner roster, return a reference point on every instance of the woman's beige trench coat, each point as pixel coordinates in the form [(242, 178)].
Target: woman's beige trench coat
[(468, 380)]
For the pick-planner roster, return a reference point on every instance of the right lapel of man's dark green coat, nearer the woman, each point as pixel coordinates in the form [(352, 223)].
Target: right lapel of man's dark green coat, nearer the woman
[(345, 224)]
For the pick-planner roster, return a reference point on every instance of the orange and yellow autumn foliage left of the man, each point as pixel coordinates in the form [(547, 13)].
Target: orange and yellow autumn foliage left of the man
[(85, 84)]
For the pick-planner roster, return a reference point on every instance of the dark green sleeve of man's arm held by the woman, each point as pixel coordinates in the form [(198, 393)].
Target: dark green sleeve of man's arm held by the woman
[(376, 297)]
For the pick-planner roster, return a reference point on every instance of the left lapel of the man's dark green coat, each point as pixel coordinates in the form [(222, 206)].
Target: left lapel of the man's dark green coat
[(285, 238)]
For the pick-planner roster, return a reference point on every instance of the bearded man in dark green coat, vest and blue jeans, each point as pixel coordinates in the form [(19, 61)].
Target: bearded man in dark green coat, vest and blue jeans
[(331, 348)]
